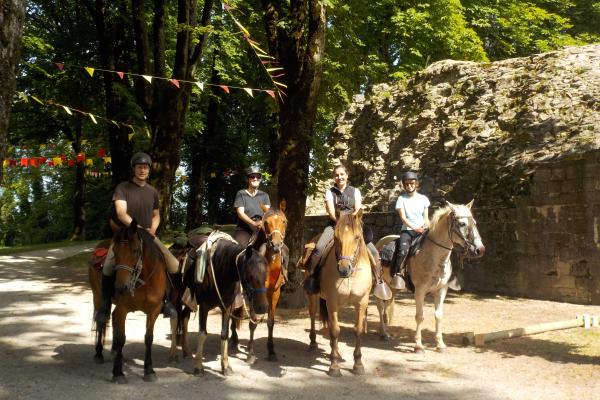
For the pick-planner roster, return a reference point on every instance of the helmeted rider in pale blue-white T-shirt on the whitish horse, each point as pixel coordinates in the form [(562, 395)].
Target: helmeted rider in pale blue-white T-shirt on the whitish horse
[(413, 209)]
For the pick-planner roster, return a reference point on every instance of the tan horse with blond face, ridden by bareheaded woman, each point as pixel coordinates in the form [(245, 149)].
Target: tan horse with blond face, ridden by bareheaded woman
[(345, 278)]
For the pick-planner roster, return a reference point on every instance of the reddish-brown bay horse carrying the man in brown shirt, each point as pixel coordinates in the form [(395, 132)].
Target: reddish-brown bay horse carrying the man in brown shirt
[(140, 285)]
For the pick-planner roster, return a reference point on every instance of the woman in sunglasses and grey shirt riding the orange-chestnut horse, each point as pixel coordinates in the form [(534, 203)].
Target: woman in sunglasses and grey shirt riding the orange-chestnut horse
[(247, 206)]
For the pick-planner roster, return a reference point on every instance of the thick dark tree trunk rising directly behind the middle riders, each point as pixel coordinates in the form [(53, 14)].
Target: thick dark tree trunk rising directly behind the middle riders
[(298, 46)]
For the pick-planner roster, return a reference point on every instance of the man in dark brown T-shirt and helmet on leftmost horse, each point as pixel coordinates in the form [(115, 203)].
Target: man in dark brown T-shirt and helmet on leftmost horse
[(135, 199)]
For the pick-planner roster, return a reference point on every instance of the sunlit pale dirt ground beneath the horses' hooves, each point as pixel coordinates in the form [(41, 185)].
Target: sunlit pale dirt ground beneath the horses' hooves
[(46, 350)]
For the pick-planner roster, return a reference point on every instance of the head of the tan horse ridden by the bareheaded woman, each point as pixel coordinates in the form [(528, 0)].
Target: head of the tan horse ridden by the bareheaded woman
[(348, 240)]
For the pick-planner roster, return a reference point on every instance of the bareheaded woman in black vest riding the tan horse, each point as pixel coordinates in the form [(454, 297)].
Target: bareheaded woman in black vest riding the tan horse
[(340, 197)]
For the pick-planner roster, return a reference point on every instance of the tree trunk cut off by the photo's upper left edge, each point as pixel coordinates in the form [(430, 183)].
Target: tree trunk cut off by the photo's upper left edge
[(12, 14)]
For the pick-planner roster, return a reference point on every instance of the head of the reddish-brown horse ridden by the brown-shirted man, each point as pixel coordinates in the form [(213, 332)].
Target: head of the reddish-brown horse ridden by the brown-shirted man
[(127, 247)]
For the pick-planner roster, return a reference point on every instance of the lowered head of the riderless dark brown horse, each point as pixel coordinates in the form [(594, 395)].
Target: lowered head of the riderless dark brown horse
[(253, 276)]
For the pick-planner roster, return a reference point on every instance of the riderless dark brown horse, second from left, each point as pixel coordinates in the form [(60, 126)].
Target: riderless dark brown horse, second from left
[(230, 264)]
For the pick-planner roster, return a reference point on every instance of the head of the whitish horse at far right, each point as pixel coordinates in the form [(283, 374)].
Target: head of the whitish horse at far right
[(463, 229)]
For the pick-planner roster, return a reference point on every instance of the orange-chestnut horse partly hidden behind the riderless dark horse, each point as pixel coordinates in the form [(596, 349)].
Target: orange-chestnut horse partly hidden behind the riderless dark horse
[(277, 255)]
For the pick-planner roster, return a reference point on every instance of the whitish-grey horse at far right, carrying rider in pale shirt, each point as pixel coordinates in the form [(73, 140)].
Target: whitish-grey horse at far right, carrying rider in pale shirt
[(430, 269)]
